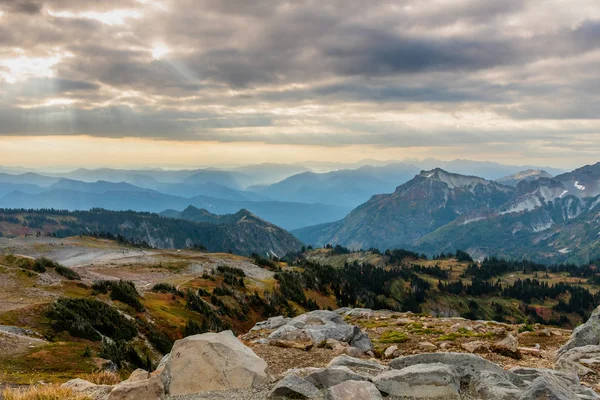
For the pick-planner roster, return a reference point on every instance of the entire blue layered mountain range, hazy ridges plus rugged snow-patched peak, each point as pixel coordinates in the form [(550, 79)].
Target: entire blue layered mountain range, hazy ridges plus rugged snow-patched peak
[(504, 210)]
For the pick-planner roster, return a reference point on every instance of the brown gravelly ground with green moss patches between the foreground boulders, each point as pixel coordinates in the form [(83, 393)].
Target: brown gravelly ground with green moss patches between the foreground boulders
[(410, 334)]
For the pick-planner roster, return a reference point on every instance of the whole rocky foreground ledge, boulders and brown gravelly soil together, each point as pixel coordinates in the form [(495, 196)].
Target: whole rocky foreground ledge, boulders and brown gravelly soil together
[(358, 354)]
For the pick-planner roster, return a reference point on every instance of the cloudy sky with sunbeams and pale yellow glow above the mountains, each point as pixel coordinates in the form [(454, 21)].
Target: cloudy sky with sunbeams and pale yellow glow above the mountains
[(194, 82)]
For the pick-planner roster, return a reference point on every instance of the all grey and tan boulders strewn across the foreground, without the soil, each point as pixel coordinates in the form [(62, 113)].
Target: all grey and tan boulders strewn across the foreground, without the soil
[(220, 361)]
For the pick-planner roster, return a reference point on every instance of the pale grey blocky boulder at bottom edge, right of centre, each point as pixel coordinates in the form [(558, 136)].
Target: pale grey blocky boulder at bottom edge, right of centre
[(432, 381)]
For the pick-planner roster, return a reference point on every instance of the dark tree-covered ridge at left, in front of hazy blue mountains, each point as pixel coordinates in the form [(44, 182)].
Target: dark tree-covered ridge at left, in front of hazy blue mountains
[(242, 233)]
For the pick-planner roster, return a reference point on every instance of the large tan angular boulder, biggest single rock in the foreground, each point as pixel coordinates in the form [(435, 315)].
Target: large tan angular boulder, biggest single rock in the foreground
[(211, 362)]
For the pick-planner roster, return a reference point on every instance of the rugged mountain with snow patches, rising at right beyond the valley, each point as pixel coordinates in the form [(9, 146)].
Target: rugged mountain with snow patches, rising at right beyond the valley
[(555, 219)]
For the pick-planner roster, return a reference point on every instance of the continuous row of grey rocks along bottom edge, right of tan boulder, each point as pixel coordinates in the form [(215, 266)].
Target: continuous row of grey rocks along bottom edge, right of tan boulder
[(430, 376)]
